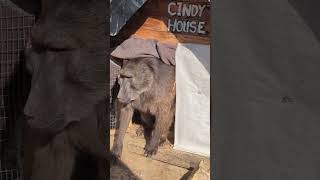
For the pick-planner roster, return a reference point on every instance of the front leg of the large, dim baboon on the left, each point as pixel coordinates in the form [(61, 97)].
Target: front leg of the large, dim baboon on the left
[(54, 160)]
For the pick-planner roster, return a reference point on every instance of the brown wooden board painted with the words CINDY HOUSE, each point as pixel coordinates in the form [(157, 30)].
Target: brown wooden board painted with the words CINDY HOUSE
[(151, 22)]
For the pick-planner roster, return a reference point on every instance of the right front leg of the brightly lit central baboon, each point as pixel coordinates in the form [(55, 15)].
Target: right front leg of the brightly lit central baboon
[(162, 126)]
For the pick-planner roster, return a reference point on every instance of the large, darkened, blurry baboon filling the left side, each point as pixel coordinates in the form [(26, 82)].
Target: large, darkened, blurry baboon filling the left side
[(66, 120)]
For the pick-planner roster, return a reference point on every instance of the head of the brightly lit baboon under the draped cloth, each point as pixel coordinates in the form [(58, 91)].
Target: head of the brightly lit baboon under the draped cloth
[(136, 77)]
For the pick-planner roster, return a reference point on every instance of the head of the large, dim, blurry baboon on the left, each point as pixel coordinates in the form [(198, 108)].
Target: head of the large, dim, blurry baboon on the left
[(67, 61)]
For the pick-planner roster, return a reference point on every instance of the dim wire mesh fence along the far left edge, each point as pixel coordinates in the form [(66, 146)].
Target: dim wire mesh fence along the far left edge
[(15, 26)]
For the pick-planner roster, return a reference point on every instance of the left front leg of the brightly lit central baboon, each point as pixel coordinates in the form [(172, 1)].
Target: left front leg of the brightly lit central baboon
[(126, 113)]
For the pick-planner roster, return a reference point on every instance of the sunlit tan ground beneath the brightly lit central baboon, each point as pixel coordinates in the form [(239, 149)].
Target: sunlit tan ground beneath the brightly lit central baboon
[(168, 164)]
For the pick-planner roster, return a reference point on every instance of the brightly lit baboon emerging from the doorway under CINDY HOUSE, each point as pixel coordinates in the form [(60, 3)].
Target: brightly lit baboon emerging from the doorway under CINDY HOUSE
[(148, 86)]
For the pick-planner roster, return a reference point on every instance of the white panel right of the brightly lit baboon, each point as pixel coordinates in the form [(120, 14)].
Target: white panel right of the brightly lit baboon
[(192, 125)]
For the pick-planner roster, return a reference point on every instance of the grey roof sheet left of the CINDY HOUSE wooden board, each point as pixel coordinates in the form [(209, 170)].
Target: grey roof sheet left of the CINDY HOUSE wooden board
[(121, 11)]
